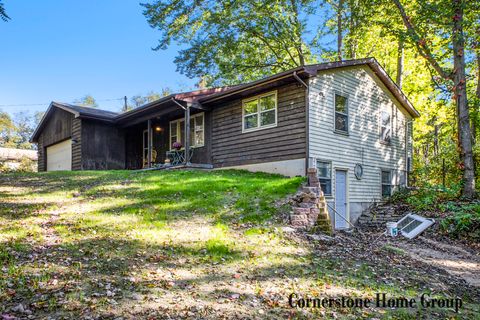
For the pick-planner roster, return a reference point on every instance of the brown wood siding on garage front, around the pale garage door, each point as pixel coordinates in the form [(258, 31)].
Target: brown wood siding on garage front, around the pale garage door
[(58, 128)]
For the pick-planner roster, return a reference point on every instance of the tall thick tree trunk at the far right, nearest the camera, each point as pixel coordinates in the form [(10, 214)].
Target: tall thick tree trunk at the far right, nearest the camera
[(460, 94)]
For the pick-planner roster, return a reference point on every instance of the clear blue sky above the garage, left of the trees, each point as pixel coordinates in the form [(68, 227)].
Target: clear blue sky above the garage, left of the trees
[(62, 50)]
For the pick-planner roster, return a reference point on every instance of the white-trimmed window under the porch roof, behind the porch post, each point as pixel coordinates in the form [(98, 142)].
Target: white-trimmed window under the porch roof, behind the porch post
[(197, 131)]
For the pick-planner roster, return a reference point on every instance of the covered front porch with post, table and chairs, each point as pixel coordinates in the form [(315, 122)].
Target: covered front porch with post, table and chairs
[(152, 131)]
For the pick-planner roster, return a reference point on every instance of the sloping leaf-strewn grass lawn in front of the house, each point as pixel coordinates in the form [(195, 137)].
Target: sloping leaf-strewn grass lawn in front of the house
[(188, 244)]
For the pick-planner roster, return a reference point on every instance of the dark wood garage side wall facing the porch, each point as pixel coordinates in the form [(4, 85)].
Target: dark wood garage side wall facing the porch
[(103, 146)]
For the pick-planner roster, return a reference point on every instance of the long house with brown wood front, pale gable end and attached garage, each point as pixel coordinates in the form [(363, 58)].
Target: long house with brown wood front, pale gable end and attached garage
[(348, 119)]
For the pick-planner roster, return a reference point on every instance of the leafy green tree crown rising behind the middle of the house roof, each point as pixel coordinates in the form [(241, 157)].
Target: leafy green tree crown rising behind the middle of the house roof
[(233, 41)]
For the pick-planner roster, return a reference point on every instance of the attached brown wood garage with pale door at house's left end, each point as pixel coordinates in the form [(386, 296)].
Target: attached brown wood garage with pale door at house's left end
[(78, 138)]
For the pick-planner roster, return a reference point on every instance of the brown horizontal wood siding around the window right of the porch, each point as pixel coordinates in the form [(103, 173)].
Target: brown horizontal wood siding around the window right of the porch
[(286, 141)]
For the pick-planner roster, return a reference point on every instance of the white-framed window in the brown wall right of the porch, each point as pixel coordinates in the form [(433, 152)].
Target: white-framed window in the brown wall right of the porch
[(260, 112)]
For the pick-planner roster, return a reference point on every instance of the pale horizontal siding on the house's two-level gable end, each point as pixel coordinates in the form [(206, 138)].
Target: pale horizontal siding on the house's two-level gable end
[(366, 98)]
